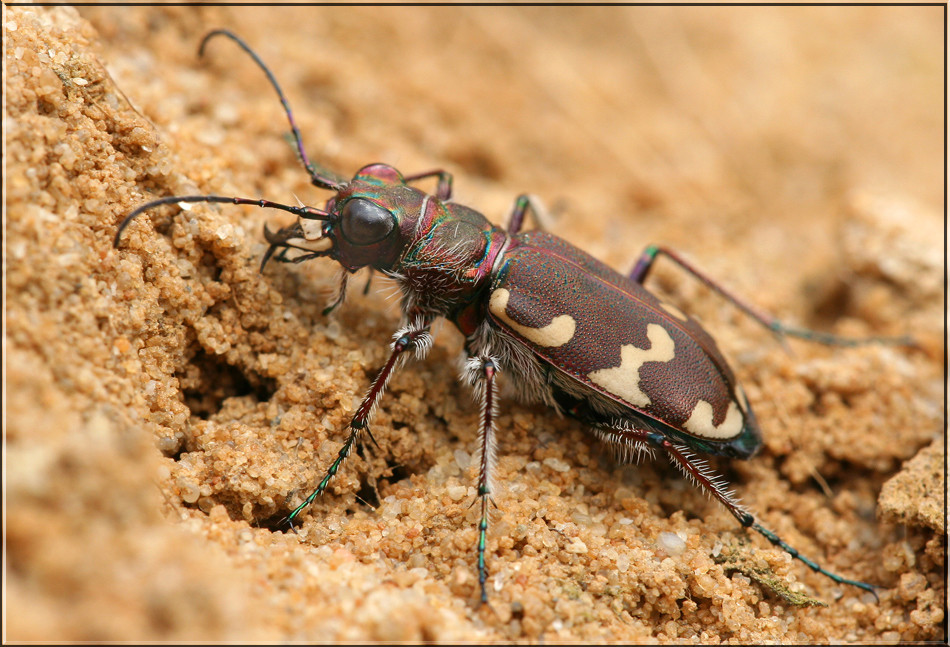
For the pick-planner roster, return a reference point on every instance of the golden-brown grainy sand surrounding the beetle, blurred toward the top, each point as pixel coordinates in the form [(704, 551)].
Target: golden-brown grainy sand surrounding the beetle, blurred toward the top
[(166, 405)]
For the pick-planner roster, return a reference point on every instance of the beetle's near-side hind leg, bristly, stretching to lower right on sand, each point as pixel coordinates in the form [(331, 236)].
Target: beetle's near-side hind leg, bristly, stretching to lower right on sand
[(697, 470)]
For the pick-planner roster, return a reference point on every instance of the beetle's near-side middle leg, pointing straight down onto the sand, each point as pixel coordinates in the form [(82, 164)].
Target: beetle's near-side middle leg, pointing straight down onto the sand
[(482, 370)]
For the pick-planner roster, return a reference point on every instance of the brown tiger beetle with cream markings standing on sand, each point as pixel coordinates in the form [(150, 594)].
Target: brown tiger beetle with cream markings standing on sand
[(569, 330)]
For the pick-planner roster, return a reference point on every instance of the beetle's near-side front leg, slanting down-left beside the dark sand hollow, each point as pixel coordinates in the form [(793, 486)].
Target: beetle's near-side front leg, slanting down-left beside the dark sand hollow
[(416, 336)]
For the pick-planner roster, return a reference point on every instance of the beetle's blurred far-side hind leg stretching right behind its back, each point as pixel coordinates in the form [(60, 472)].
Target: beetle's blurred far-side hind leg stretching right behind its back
[(645, 263)]
